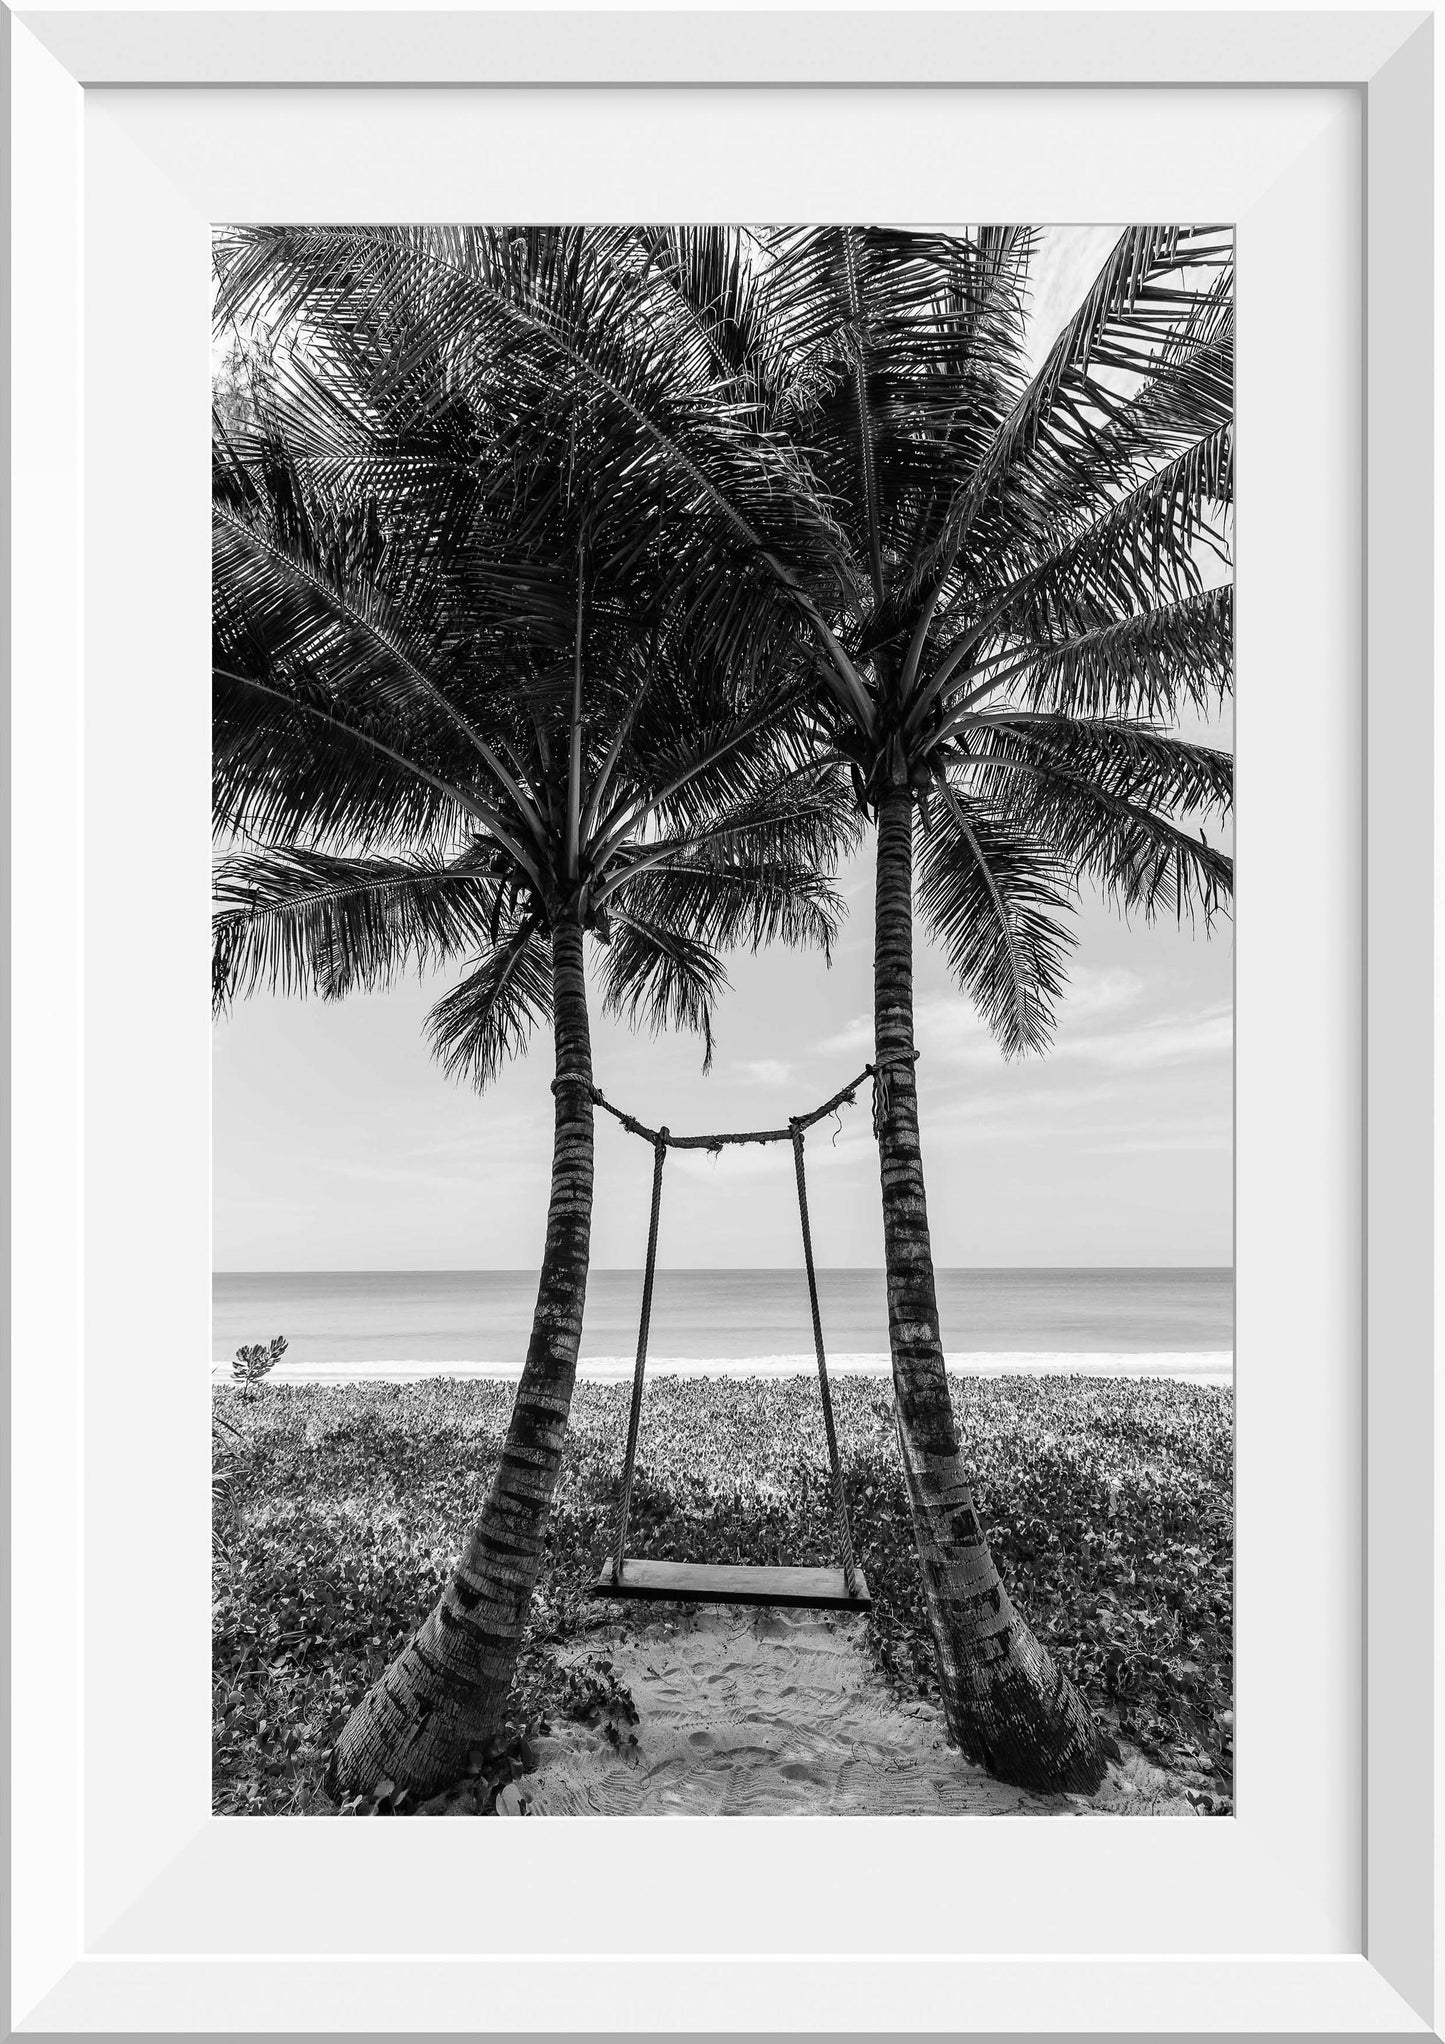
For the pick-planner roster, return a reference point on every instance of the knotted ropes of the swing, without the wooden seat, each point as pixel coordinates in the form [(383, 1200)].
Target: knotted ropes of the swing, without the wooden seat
[(663, 1142)]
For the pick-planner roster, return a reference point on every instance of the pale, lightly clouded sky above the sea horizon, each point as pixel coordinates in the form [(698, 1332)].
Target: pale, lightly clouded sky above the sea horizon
[(340, 1146)]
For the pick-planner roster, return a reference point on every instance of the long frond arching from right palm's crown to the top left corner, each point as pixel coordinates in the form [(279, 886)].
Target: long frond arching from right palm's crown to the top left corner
[(567, 318)]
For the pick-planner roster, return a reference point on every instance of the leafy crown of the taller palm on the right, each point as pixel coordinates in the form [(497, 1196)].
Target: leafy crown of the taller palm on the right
[(1027, 579)]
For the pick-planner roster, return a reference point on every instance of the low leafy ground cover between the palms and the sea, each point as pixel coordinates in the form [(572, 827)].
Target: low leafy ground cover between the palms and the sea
[(340, 1509)]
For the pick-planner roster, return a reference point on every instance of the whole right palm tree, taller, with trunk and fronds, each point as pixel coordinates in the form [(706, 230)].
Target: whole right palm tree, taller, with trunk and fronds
[(1021, 608)]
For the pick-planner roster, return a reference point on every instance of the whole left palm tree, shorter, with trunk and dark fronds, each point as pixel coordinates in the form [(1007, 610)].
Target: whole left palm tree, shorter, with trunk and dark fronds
[(442, 735)]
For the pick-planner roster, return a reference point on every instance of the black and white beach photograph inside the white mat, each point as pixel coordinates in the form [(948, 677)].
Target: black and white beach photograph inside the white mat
[(722, 1021)]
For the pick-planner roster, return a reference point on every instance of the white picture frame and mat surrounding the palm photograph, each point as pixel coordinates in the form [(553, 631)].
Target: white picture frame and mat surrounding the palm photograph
[(132, 1908)]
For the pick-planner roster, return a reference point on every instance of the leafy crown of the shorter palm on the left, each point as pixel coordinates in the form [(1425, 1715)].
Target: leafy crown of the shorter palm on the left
[(463, 688)]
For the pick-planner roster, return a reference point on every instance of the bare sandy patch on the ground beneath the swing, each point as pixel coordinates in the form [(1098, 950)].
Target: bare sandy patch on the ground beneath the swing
[(782, 1716)]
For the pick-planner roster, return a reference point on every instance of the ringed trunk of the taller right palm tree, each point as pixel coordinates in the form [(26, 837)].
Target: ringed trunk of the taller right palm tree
[(1007, 1702)]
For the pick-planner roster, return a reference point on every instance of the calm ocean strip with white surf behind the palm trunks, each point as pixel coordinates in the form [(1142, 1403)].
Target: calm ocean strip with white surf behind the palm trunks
[(359, 1323)]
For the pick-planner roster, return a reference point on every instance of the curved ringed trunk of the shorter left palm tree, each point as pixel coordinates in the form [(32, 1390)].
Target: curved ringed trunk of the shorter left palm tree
[(449, 1687)]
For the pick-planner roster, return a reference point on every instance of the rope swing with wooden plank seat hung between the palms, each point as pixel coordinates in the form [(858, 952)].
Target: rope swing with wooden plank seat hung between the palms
[(692, 1583)]
